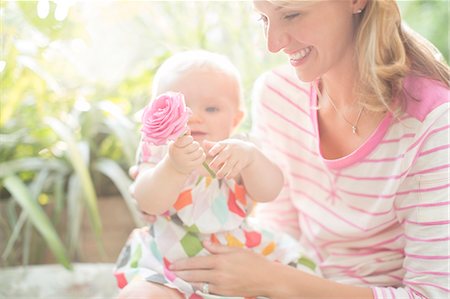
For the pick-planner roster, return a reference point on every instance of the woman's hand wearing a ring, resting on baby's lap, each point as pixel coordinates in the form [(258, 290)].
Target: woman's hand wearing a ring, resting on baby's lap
[(229, 271)]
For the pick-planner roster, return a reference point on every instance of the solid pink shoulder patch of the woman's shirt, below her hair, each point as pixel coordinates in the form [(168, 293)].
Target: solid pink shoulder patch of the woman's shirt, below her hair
[(425, 95)]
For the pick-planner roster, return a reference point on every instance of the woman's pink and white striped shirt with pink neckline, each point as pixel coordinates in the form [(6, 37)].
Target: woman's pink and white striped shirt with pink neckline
[(378, 217)]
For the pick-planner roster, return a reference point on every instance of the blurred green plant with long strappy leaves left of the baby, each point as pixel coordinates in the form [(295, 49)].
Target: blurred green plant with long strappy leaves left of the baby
[(58, 183)]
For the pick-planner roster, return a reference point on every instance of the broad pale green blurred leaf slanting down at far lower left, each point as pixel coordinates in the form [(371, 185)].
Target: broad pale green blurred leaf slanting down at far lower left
[(38, 217)]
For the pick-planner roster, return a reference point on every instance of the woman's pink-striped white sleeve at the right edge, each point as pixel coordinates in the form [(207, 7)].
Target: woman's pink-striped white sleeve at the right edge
[(425, 216)]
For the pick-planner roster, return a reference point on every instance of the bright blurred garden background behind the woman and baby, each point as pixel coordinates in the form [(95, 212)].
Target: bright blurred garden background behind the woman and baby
[(73, 76)]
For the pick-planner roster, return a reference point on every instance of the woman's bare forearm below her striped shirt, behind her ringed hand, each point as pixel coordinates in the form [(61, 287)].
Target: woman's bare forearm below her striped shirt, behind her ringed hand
[(283, 281)]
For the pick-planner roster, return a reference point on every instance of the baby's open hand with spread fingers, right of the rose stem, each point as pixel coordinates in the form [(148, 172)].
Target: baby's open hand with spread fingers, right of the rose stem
[(230, 156)]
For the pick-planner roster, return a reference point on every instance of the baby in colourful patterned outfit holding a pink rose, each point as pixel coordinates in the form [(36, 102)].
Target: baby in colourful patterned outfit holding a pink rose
[(193, 206)]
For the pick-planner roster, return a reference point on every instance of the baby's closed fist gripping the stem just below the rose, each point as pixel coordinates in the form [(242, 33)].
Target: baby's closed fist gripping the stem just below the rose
[(186, 154)]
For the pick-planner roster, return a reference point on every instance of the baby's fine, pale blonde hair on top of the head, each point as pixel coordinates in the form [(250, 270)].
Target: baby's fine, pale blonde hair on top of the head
[(183, 62)]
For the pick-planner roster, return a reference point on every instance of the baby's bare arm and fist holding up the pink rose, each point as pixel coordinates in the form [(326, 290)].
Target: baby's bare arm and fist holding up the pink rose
[(157, 188)]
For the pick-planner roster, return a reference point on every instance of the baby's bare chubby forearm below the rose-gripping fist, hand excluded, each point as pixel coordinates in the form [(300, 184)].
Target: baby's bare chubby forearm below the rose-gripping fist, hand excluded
[(157, 189)]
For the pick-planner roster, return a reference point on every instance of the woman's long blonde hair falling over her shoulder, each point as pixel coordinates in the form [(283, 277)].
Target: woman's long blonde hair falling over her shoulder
[(386, 52)]
